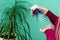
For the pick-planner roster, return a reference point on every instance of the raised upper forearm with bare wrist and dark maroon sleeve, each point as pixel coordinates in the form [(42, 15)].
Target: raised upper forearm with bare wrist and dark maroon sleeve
[(49, 14)]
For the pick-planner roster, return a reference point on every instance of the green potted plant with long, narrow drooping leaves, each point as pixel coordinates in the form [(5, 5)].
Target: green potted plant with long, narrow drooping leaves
[(14, 24)]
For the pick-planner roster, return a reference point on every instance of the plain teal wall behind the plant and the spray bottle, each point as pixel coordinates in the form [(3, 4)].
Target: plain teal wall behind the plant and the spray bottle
[(34, 25)]
